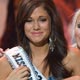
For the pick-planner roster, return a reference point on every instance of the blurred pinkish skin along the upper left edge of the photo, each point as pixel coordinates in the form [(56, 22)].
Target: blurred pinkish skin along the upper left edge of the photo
[(3, 16)]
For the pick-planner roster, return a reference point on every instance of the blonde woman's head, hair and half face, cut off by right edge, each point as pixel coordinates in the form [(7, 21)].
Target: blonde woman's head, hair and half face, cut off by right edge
[(76, 30)]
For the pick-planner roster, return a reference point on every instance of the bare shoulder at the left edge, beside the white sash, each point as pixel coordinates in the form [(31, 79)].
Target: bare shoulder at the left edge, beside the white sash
[(5, 68)]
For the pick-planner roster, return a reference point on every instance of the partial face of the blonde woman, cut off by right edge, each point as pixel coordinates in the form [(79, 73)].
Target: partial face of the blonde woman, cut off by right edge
[(77, 31)]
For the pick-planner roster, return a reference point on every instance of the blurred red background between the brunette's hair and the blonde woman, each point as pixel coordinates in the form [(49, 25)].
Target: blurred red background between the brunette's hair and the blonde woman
[(66, 9)]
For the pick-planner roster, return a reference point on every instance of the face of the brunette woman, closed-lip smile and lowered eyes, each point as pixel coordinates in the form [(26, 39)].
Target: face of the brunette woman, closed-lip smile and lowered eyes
[(38, 26)]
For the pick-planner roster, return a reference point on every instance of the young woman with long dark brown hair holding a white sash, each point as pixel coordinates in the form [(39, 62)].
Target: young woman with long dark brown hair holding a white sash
[(40, 33)]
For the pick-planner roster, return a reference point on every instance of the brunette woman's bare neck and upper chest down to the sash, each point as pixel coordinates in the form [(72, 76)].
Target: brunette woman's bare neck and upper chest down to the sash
[(39, 54)]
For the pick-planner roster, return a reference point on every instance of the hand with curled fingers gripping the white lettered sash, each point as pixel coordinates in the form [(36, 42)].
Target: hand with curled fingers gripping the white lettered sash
[(21, 73)]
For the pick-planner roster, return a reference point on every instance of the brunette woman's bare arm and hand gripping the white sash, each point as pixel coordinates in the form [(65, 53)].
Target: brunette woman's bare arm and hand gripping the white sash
[(7, 73)]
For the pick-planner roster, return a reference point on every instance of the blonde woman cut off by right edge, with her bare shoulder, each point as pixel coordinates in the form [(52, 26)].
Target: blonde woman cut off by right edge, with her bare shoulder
[(74, 57)]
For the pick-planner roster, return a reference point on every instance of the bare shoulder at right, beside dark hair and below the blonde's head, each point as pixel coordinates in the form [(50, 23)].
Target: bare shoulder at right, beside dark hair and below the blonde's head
[(72, 61)]
